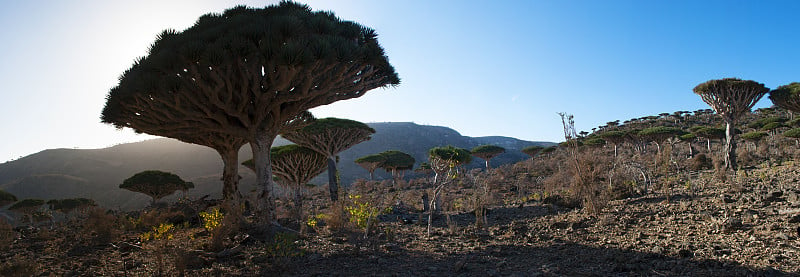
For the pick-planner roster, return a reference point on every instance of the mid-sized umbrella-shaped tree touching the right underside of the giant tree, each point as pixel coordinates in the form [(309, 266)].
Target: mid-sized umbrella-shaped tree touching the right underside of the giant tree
[(331, 136)]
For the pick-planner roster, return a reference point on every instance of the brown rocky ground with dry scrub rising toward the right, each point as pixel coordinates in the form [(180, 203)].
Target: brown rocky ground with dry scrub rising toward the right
[(703, 229)]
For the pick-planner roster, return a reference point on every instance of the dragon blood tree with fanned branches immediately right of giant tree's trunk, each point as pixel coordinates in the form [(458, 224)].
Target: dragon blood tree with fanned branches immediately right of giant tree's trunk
[(294, 166)]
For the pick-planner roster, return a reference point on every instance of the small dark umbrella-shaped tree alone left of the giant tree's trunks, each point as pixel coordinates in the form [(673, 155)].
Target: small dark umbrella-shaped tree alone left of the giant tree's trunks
[(156, 184)]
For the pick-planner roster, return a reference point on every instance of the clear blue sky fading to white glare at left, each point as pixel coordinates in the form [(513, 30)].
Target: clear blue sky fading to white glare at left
[(480, 67)]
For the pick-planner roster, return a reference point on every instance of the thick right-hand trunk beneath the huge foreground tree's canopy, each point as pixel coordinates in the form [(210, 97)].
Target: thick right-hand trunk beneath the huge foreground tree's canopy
[(265, 205)]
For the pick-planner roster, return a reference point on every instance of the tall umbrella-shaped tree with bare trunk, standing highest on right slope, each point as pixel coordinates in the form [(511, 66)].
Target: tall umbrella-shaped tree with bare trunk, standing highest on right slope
[(731, 98)]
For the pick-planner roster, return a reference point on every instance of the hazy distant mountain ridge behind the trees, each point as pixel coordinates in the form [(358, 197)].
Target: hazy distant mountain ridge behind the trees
[(97, 173)]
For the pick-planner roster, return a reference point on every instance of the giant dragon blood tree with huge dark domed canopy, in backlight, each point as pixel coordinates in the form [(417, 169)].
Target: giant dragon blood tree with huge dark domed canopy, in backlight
[(242, 74)]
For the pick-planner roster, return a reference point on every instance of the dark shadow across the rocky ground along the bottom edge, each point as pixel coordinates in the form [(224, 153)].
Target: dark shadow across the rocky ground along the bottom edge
[(557, 259)]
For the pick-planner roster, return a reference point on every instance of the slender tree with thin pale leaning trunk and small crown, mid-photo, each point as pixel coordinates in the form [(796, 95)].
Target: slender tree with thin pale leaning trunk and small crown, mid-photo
[(445, 162)]
